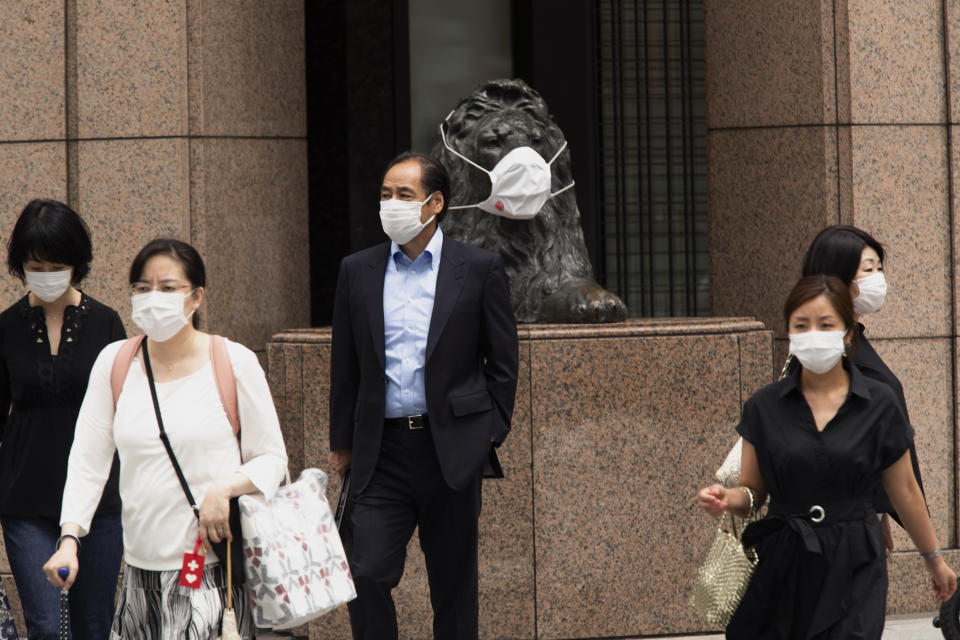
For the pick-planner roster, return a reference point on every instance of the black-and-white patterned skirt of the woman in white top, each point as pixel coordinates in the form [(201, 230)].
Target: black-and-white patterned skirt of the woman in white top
[(153, 606)]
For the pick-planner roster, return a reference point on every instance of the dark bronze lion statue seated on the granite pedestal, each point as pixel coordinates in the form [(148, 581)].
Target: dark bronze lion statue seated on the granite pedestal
[(551, 279)]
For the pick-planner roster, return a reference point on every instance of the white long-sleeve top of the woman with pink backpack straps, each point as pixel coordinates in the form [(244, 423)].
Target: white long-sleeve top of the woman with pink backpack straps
[(158, 524)]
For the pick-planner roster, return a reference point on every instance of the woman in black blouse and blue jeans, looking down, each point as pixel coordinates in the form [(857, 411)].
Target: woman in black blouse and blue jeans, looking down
[(49, 340)]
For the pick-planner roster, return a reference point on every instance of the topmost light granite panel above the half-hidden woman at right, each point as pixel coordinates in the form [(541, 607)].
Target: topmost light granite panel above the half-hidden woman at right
[(895, 51)]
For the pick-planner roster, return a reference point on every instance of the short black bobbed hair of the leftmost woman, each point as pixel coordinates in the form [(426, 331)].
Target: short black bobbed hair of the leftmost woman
[(50, 231)]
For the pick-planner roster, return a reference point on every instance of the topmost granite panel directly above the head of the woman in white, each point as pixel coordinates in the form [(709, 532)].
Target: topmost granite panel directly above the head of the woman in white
[(131, 68)]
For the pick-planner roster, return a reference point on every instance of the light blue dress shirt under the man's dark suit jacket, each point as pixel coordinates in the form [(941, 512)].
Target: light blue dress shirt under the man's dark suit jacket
[(409, 288)]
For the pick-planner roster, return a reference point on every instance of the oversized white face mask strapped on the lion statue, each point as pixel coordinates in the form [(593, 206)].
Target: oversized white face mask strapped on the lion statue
[(520, 183)]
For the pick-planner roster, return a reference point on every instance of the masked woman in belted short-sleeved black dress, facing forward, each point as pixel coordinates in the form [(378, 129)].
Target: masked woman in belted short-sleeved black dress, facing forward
[(819, 442)]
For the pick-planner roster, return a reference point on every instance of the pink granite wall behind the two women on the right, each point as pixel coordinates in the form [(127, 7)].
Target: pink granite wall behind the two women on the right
[(841, 112)]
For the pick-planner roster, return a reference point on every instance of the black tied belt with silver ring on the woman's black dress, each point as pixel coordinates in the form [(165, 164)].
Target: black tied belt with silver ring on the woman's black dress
[(802, 519)]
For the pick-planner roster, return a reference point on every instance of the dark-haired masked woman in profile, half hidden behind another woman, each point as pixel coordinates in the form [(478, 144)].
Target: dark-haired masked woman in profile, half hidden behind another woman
[(855, 257)]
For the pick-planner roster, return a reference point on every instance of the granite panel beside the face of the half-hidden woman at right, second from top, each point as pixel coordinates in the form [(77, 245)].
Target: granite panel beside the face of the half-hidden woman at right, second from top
[(900, 197)]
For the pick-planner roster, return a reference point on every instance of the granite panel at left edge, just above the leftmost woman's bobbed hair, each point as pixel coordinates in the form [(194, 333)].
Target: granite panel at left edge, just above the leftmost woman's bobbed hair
[(27, 171)]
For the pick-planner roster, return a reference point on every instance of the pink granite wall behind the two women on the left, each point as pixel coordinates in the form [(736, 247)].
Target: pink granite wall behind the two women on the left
[(183, 118)]
